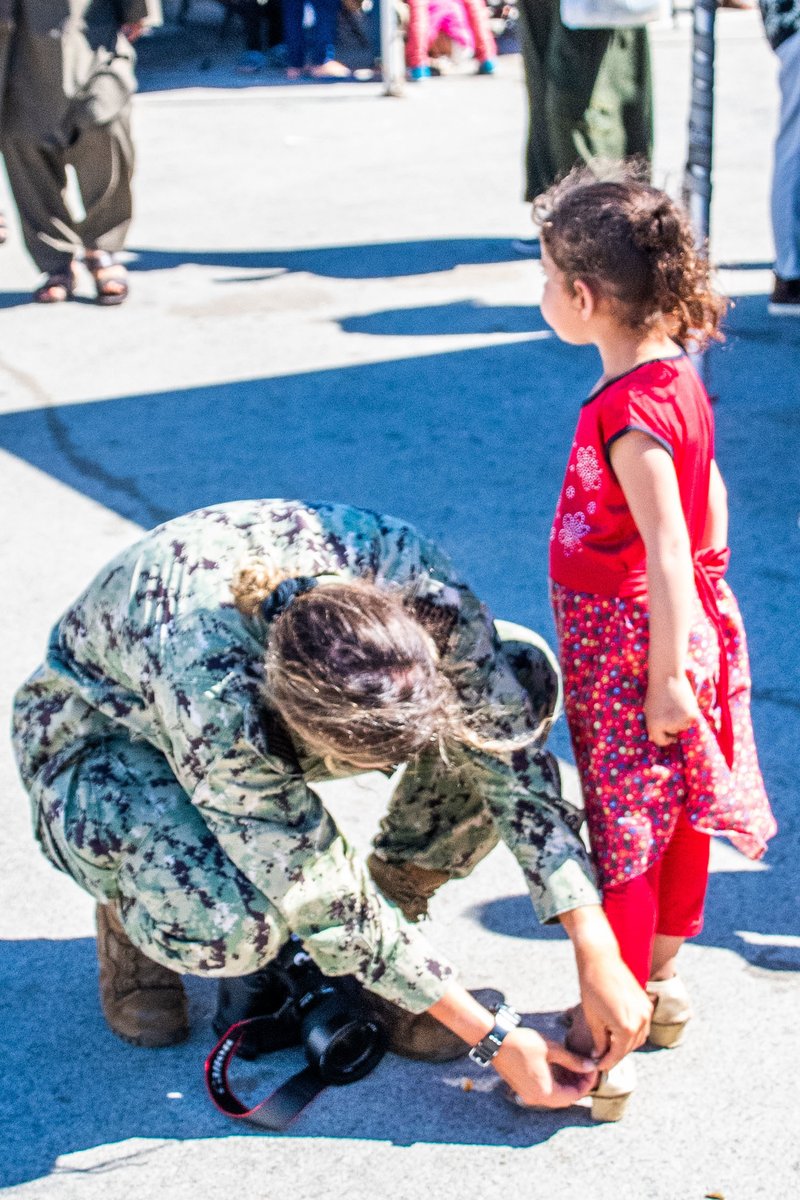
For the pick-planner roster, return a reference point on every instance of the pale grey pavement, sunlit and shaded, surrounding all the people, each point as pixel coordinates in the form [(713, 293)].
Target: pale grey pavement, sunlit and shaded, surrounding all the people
[(324, 304)]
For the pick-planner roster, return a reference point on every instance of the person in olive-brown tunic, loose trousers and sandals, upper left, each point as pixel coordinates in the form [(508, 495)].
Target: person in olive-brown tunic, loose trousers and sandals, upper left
[(67, 103)]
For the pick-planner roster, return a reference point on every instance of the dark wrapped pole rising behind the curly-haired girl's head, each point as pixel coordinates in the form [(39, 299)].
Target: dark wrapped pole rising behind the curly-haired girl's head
[(697, 179)]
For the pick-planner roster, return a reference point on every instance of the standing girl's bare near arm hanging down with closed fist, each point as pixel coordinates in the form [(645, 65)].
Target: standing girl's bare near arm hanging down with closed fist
[(647, 476)]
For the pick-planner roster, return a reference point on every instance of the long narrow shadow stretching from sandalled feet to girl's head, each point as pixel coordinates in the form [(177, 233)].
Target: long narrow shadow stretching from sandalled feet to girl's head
[(378, 261)]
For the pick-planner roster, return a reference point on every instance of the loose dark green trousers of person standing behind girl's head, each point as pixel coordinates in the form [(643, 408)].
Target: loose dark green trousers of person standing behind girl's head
[(590, 94)]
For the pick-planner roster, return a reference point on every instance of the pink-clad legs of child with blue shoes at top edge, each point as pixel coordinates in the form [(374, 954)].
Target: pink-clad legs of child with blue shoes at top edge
[(449, 28)]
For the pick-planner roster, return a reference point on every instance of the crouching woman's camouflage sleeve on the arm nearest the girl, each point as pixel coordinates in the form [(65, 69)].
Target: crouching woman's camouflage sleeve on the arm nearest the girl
[(521, 785)]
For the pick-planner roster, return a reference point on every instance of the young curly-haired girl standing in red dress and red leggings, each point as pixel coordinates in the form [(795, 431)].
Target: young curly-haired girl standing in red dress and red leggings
[(652, 644)]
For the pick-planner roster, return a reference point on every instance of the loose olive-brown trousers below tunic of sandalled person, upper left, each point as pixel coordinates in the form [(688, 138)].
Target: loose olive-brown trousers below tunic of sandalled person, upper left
[(104, 164)]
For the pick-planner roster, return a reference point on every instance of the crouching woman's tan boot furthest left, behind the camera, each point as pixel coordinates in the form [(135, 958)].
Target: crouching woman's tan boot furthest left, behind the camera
[(143, 1003)]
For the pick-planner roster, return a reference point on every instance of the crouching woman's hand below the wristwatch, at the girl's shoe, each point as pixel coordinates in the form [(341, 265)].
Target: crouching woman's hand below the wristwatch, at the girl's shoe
[(544, 1073)]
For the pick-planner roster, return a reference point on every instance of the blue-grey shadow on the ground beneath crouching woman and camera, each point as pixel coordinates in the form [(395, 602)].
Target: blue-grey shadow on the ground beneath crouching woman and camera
[(71, 1085)]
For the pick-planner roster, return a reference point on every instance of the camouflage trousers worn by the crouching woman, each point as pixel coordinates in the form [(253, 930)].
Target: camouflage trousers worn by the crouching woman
[(109, 811)]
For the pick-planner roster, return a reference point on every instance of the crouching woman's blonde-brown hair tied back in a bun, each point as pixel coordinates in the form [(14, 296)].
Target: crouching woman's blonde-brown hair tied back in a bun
[(353, 671)]
